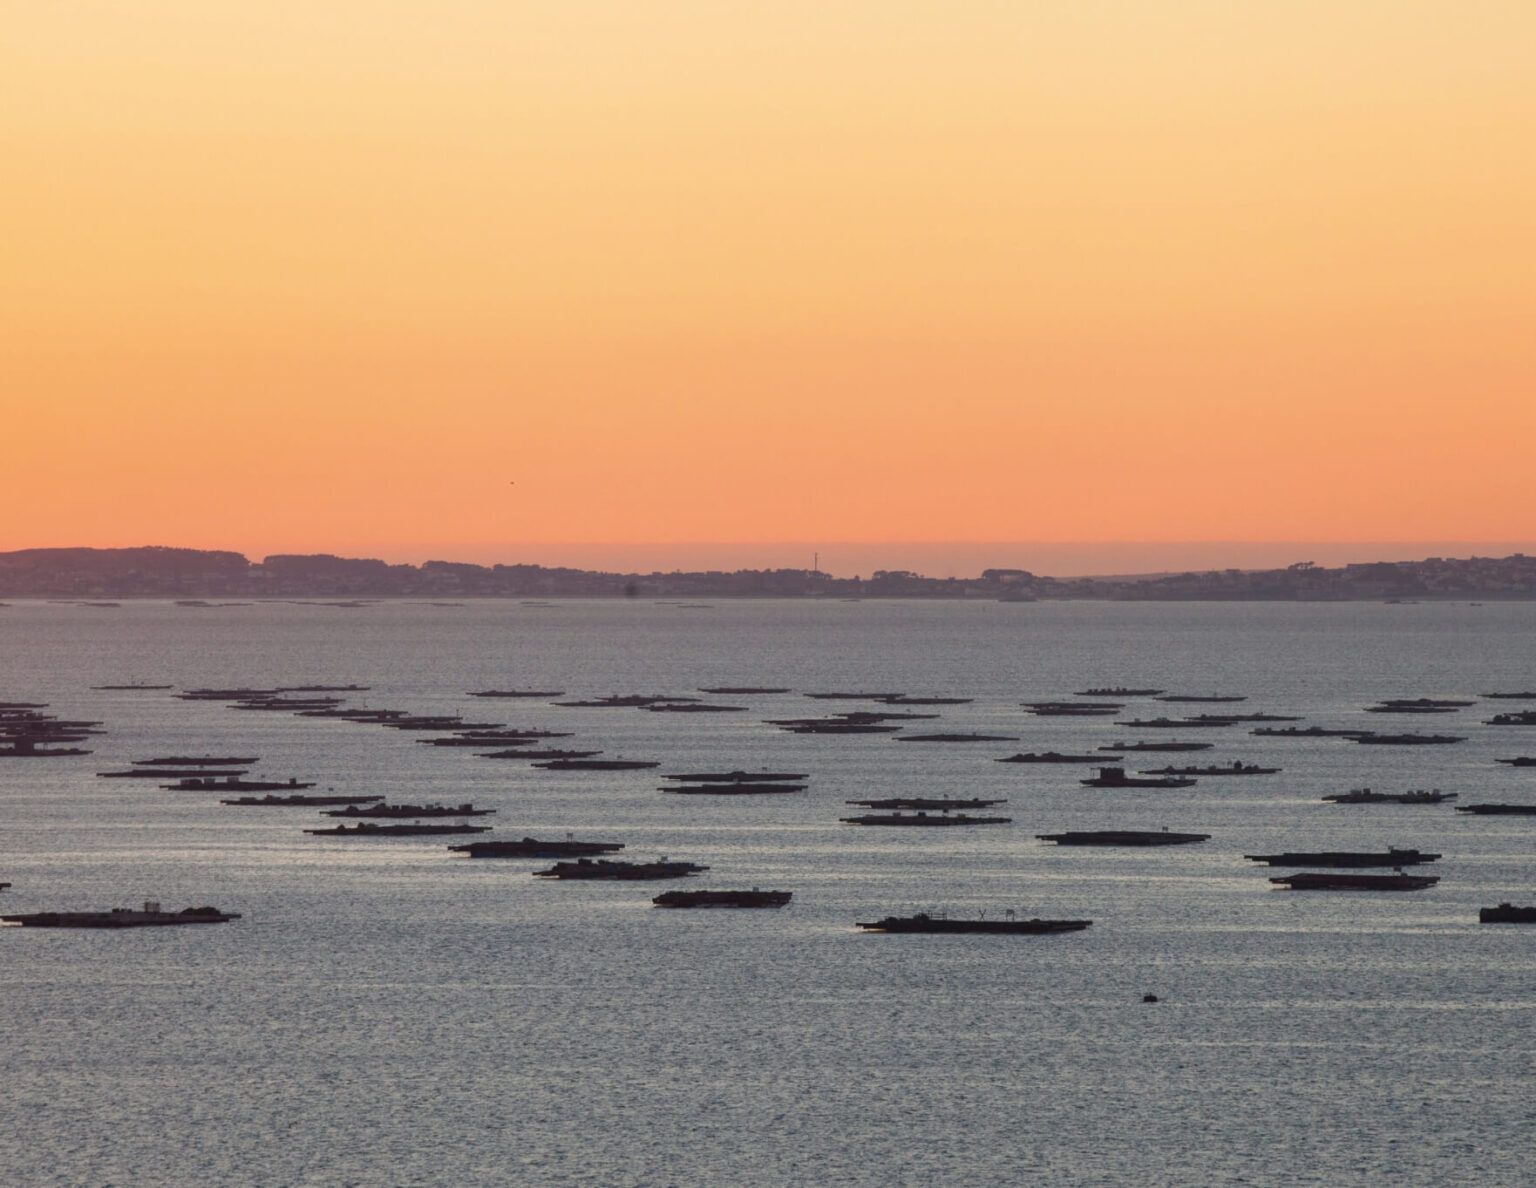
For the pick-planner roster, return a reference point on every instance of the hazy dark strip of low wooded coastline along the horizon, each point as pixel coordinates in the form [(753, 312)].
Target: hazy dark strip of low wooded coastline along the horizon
[(165, 572)]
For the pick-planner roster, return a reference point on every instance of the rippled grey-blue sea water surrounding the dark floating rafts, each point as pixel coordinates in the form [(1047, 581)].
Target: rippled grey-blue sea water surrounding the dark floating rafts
[(388, 1014)]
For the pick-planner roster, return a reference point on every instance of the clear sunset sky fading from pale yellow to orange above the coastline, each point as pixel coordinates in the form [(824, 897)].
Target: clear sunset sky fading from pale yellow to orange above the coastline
[(336, 274)]
